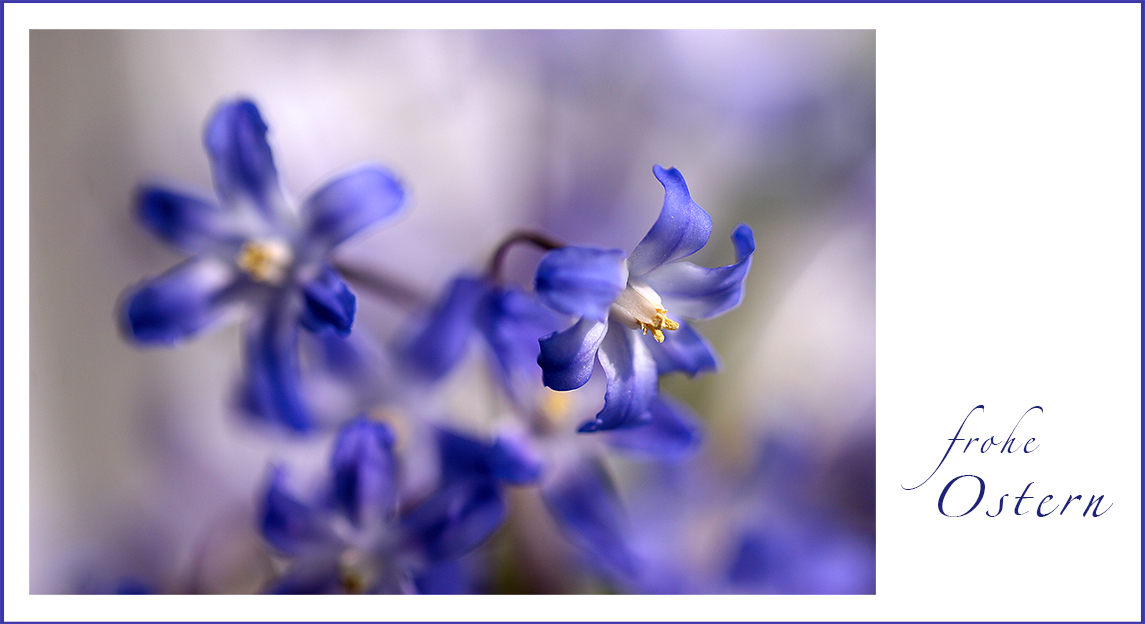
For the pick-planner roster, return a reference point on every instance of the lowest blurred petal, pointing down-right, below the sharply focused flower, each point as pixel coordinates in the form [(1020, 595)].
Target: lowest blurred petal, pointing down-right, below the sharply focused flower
[(589, 512)]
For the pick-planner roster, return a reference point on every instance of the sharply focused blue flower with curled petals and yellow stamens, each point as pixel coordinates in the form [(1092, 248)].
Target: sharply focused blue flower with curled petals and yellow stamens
[(619, 298)]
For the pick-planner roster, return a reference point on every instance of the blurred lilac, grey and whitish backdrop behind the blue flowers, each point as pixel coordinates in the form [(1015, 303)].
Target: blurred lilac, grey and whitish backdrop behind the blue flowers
[(137, 461)]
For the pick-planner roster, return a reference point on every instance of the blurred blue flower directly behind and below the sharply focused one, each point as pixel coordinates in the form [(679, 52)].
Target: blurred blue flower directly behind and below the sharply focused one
[(539, 447)]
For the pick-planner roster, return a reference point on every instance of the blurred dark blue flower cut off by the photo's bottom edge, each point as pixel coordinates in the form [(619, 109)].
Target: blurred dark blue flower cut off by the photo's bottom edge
[(357, 536)]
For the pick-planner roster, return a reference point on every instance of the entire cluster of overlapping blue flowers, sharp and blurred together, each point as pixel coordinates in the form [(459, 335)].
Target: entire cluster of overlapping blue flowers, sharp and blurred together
[(368, 525)]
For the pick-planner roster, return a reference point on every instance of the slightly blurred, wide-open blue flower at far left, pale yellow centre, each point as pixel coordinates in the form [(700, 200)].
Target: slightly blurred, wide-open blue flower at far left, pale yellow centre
[(252, 250)]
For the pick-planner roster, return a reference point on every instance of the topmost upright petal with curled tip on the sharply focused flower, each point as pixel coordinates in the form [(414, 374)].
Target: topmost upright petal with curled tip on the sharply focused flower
[(682, 230)]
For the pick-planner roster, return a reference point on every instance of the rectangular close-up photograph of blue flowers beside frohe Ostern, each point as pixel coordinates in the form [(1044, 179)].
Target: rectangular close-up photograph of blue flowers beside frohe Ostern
[(452, 312)]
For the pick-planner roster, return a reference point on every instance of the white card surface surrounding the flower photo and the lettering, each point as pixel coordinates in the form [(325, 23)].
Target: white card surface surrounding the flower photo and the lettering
[(1008, 275)]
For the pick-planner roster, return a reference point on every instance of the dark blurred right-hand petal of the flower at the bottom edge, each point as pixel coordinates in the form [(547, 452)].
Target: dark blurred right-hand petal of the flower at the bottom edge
[(456, 520)]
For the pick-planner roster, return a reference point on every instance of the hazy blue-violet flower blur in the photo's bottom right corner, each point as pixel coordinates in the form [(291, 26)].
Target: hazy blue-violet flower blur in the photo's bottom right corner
[(777, 527)]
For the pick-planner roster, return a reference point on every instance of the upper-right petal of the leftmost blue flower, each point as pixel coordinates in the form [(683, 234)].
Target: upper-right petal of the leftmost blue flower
[(361, 199)]
